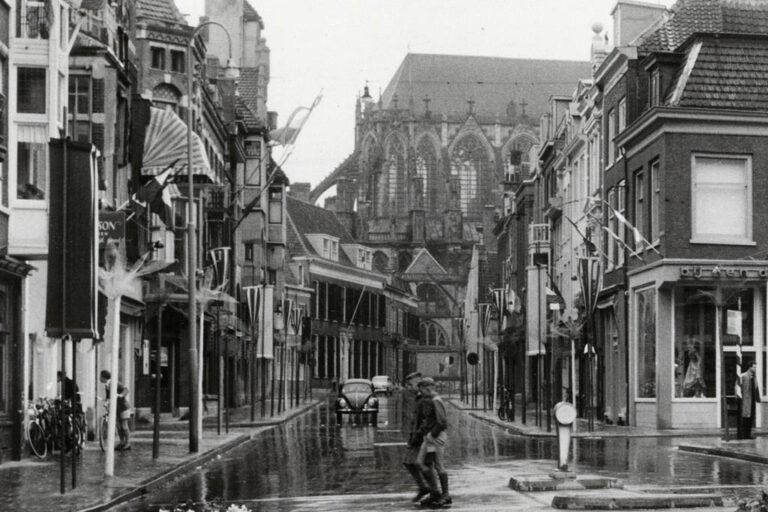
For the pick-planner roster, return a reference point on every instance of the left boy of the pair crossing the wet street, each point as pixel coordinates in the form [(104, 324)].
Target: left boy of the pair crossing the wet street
[(414, 404)]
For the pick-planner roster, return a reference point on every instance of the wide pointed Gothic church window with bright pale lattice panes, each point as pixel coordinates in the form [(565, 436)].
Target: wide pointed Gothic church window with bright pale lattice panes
[(470, 162)]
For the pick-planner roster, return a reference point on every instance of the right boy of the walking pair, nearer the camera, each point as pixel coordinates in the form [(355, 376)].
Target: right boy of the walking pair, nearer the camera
[(432, 453)]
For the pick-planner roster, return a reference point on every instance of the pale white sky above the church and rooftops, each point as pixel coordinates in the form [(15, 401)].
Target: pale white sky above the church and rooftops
[(336, 45)]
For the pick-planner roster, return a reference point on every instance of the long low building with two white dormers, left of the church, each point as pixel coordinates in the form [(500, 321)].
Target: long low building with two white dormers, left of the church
[(362, 323)]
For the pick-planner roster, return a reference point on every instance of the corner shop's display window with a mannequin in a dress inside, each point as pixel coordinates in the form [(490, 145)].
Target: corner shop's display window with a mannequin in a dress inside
[(695, 344)]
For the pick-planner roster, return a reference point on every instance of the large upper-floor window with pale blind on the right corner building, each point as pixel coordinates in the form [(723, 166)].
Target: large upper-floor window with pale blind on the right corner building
[(722, 199)]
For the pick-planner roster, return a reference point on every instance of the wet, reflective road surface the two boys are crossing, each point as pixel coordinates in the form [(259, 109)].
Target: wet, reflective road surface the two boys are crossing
[(311, 463)]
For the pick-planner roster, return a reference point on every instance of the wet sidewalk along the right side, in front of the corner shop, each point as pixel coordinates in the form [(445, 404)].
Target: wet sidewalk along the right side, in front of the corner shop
[(530, 429)]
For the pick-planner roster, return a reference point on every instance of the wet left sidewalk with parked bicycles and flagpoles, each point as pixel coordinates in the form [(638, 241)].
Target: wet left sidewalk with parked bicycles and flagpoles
[(32, 485)]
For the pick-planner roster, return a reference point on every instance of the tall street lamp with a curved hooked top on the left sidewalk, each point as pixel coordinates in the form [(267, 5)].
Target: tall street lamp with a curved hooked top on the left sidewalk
[(195, 425)]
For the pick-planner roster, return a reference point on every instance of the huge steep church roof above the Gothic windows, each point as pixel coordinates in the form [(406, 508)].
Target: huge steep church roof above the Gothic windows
[(451, 81)]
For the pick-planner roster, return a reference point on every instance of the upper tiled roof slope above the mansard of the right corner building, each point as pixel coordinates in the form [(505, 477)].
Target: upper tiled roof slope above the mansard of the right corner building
[(688, 17)]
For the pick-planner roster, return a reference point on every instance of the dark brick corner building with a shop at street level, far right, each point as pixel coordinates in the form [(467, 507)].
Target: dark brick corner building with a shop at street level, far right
[(694, 169)]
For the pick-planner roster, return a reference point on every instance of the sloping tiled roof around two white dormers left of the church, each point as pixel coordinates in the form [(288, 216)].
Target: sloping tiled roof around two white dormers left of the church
[(306, 219)]
